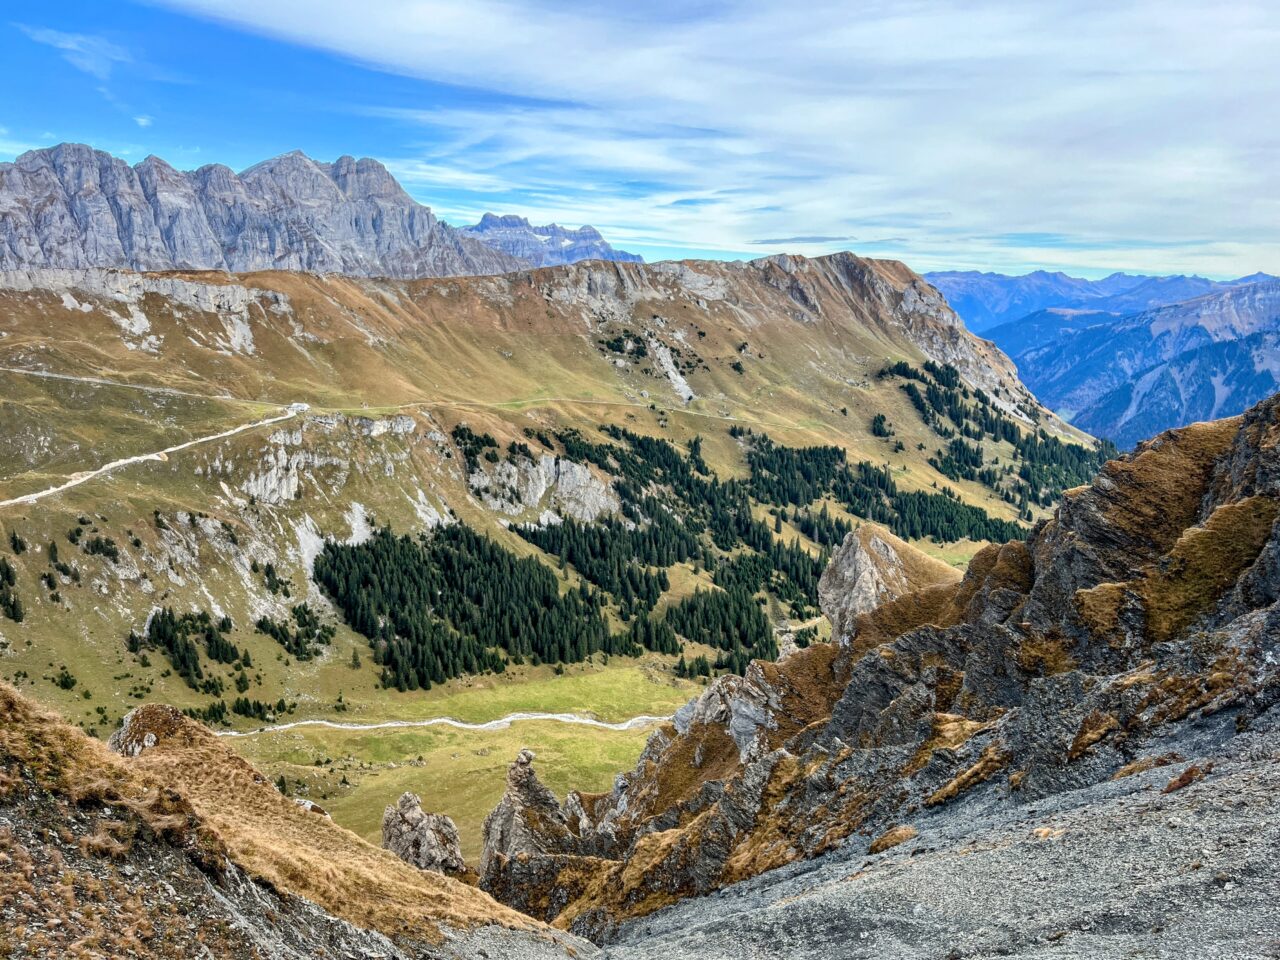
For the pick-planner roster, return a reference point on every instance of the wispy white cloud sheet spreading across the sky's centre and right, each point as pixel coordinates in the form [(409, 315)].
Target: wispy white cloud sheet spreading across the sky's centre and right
[(1085, 134)]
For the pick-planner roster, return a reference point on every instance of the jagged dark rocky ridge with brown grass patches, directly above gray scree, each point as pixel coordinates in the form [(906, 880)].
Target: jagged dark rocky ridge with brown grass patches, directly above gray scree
[(1140, 624)]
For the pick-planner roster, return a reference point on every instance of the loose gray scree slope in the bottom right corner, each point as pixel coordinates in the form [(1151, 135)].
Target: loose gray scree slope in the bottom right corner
[(1118, 870)]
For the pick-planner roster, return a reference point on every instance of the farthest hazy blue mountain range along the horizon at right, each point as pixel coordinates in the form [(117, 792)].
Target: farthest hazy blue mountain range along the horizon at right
[(986, 300)]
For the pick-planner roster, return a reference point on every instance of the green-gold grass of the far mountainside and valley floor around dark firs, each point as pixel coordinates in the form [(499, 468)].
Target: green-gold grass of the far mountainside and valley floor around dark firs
[(444, 354)]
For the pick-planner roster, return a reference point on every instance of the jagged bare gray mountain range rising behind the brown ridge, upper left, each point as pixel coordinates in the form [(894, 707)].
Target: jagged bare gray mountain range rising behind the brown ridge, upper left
[(72, 207)]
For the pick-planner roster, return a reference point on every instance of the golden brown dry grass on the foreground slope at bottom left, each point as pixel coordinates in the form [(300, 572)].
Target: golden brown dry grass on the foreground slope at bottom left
[(193, 788)]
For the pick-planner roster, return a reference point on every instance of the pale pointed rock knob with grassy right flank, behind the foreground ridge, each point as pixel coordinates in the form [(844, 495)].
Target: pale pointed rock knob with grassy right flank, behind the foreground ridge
[(870, 568)]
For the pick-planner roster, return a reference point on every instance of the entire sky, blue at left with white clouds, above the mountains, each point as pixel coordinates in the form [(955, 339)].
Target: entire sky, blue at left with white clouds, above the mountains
[(953, 134)]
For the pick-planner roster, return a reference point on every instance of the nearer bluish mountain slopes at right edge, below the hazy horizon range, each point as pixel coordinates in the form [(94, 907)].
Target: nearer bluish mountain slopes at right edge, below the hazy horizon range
[(1130, 377)]
